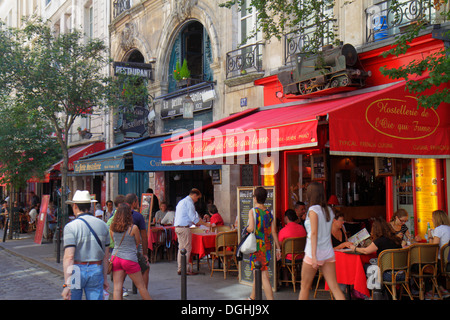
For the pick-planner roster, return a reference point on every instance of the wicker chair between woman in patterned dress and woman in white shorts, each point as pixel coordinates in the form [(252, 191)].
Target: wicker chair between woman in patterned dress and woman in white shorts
[(295, 247)]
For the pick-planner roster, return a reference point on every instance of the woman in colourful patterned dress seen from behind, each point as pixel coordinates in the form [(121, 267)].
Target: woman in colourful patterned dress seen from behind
[(266, 234)]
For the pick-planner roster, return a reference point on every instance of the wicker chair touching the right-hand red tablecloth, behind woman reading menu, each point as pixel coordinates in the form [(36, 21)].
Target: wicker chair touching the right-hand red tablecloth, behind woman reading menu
[(394, 270)]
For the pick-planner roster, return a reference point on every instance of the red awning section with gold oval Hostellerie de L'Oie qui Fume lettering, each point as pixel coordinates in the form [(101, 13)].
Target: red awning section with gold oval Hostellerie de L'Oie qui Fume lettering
[(390, 123)]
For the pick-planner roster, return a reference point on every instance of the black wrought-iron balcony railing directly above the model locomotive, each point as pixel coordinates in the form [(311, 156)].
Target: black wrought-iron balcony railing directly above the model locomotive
[(296, 41)]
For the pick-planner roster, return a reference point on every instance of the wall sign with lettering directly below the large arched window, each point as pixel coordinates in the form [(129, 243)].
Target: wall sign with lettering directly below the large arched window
[(173, 106)]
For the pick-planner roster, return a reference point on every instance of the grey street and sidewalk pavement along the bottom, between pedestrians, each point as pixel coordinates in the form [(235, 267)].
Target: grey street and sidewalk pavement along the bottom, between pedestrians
[(38, 270)]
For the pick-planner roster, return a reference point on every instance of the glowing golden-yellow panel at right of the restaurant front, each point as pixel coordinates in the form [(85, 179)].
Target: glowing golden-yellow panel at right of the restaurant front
[(426, 192)]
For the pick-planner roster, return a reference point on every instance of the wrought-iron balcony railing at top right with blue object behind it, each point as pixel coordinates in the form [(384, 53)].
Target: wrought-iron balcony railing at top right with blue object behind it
[(384, 21)]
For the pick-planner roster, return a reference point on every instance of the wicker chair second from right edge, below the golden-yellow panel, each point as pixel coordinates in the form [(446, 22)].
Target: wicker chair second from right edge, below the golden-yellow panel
[(424, 265)]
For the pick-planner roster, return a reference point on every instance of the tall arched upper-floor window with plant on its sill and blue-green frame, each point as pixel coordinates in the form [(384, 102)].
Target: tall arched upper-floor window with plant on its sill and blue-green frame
[(194, 45)]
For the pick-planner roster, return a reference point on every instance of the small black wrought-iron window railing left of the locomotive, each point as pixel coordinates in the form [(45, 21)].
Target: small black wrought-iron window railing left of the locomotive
[(247, 59)]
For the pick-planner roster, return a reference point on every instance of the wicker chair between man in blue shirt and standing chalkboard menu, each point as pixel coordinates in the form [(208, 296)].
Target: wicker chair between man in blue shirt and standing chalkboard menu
[(225, 251)]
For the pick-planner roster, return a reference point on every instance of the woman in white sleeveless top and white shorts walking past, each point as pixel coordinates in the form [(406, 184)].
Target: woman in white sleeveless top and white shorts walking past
[(319, 249)]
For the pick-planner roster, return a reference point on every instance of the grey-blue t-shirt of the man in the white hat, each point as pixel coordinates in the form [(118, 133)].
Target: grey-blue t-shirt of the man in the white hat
[(77, 234)]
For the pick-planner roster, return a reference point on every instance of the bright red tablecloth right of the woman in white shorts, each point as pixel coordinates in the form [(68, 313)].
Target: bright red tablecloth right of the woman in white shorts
[(350, 270)]
